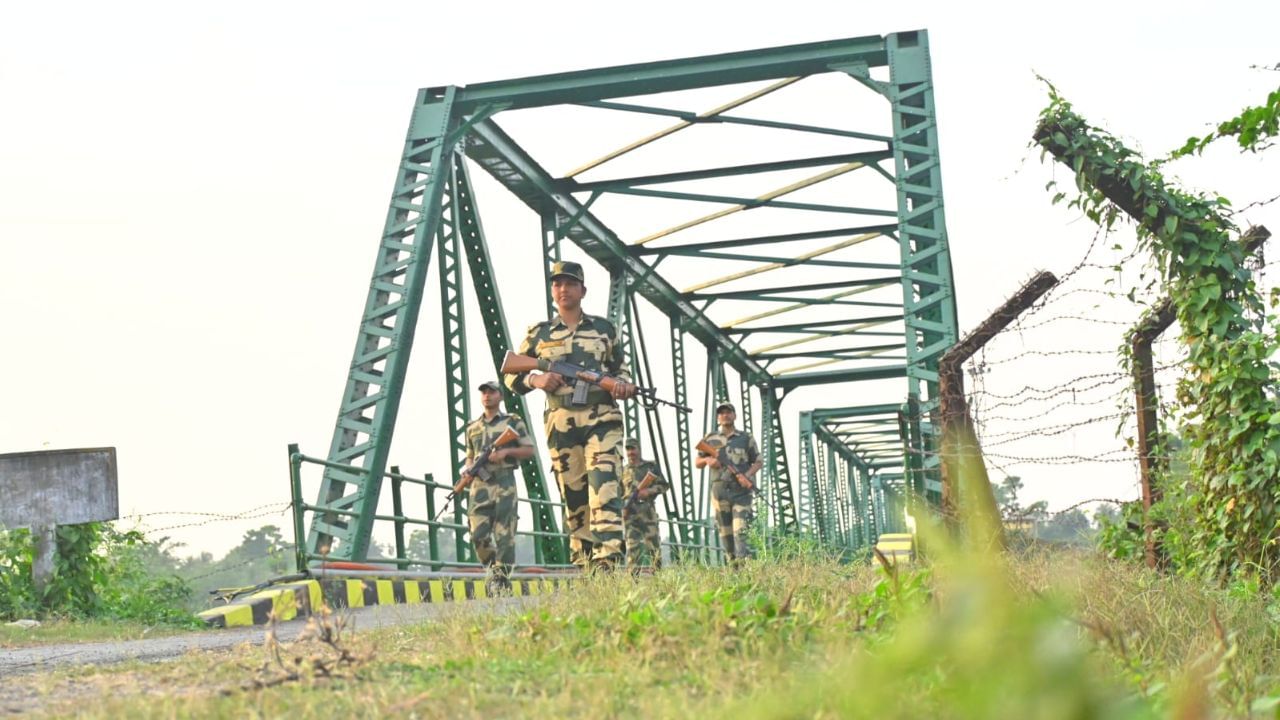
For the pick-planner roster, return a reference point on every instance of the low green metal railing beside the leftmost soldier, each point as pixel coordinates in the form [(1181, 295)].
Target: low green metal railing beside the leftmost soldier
[(400, 521)]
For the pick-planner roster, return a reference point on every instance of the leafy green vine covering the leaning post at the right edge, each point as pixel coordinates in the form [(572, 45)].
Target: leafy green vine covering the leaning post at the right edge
[(1233, 422)]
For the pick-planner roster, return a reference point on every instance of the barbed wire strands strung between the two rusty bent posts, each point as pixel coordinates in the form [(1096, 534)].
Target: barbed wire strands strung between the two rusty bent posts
[(1050, 398)]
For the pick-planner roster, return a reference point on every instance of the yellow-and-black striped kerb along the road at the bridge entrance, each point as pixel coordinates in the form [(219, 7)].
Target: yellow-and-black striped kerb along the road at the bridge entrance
[(301, 599)]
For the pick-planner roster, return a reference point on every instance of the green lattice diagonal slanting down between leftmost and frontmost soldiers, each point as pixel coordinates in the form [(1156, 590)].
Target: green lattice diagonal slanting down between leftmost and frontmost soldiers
[(472, 235)]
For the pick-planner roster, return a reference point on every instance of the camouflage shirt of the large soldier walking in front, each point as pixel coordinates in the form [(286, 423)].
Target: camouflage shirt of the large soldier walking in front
[(593, 345)]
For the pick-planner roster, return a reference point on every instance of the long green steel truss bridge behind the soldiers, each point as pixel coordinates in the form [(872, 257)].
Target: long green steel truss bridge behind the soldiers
[(771, 222)]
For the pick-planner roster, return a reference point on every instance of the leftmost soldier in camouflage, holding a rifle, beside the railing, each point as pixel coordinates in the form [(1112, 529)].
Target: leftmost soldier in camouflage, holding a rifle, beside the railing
[(492, 507)]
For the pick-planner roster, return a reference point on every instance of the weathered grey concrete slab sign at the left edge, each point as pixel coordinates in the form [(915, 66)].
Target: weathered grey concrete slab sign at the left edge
[(58, 487)]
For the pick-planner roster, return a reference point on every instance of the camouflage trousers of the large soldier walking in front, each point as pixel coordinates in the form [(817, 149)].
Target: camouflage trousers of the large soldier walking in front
[(587, 452)]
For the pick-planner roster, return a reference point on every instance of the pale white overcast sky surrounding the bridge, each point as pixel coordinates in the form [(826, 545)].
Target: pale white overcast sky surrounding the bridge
[(191, 197)]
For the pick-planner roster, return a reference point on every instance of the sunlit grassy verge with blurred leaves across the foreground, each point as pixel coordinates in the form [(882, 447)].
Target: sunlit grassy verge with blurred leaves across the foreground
[(1046, 635)]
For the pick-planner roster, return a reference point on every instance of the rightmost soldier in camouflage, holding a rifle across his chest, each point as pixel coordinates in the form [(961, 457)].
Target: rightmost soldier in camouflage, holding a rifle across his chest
[(734, 512)]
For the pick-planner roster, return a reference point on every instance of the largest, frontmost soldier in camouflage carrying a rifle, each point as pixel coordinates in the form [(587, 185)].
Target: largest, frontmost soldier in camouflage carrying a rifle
[(586, 441)]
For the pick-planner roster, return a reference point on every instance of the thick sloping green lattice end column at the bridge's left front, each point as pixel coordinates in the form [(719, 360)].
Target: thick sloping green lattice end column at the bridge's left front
[(371, 400)]
